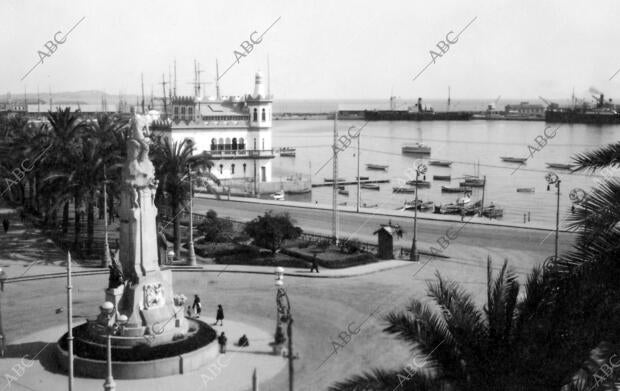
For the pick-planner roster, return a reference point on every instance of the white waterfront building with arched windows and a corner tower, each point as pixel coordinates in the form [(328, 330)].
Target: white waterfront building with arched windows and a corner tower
[(235, 130)]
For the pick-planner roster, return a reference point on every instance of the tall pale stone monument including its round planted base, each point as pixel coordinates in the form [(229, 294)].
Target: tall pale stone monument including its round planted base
[(143, 320)]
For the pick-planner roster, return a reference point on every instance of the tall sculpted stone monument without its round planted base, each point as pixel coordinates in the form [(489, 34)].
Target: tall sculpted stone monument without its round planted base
[(145, 295)]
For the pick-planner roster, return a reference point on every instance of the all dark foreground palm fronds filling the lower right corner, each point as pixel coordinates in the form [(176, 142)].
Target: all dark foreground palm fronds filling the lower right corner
[(558, 331)]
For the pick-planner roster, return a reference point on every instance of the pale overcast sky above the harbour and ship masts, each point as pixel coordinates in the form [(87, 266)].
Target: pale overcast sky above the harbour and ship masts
[(318, 49)]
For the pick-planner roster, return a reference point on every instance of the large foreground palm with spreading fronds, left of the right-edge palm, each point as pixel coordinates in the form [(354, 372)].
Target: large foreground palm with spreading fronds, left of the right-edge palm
[(458, 347)]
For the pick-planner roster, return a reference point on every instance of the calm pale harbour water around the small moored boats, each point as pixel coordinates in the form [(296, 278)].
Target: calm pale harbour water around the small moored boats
[(474, 146)]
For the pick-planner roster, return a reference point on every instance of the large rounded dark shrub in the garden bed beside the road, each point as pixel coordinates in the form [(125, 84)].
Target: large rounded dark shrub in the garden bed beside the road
[(271, 230)]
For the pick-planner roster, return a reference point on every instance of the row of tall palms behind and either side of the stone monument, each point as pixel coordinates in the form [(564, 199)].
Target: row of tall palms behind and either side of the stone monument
[(80, 154)]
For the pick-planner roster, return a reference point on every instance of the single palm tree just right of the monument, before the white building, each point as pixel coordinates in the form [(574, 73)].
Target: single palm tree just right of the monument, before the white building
[(172, 161)]
